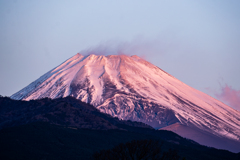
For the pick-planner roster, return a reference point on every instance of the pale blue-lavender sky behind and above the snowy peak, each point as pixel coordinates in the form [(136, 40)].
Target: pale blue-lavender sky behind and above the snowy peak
[(196, 41)]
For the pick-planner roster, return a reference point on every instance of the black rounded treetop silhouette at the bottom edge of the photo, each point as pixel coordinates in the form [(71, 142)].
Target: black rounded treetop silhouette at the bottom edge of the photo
[(137, 150)]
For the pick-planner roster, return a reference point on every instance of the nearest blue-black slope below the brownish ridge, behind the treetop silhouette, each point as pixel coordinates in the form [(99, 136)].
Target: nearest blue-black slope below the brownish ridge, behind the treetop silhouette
[(40, 140)]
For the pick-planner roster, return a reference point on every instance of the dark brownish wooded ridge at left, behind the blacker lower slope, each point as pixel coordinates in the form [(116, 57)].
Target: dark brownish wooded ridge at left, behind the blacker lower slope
[(66, 111)]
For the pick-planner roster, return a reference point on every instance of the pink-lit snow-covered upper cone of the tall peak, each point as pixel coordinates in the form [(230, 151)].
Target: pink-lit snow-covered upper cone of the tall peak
[(132, 88)]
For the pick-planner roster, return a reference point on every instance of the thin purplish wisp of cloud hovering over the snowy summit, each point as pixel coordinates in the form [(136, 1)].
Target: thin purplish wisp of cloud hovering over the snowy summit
[(141, 46)]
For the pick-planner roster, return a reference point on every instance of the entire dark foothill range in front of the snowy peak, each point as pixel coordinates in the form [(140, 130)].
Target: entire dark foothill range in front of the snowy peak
[(66, 128)]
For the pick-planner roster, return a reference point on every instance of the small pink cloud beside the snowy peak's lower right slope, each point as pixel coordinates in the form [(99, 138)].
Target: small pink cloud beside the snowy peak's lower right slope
[(230, 96)]
